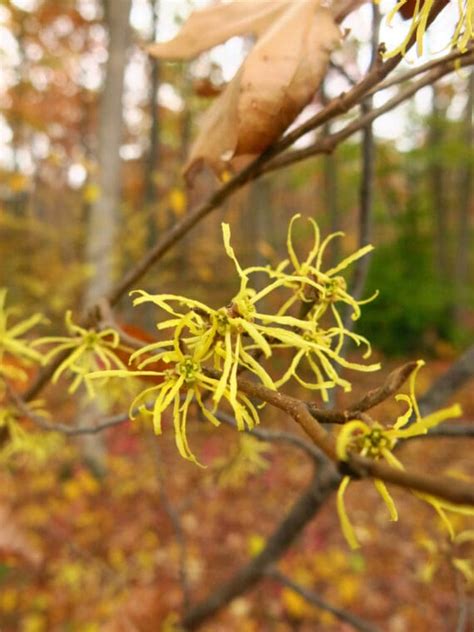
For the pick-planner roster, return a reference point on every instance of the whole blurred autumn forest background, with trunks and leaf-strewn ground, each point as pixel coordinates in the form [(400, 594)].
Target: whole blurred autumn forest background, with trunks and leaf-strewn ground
[(114, 531)]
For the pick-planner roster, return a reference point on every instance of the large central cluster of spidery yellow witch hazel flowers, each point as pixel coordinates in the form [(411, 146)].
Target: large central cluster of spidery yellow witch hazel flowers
[(209, 347)]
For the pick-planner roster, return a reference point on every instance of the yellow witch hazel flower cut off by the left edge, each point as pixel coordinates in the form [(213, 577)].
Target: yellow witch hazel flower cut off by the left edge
[(12, 345)]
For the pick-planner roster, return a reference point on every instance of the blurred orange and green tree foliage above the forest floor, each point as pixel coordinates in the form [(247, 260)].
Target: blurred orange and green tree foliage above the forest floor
[(55, 53)]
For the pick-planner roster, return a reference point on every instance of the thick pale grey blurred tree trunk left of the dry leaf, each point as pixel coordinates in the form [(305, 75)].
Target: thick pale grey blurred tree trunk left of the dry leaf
[(104, 213)]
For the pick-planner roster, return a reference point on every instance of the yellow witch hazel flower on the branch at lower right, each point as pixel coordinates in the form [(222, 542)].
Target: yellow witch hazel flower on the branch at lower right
[(375, 441)]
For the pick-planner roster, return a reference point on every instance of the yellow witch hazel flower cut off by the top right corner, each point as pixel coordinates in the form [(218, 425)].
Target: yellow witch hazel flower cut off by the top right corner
[(420, 10)]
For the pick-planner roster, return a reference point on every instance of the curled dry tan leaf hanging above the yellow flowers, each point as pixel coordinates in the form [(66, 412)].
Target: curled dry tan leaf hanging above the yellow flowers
[(276, 81)]
